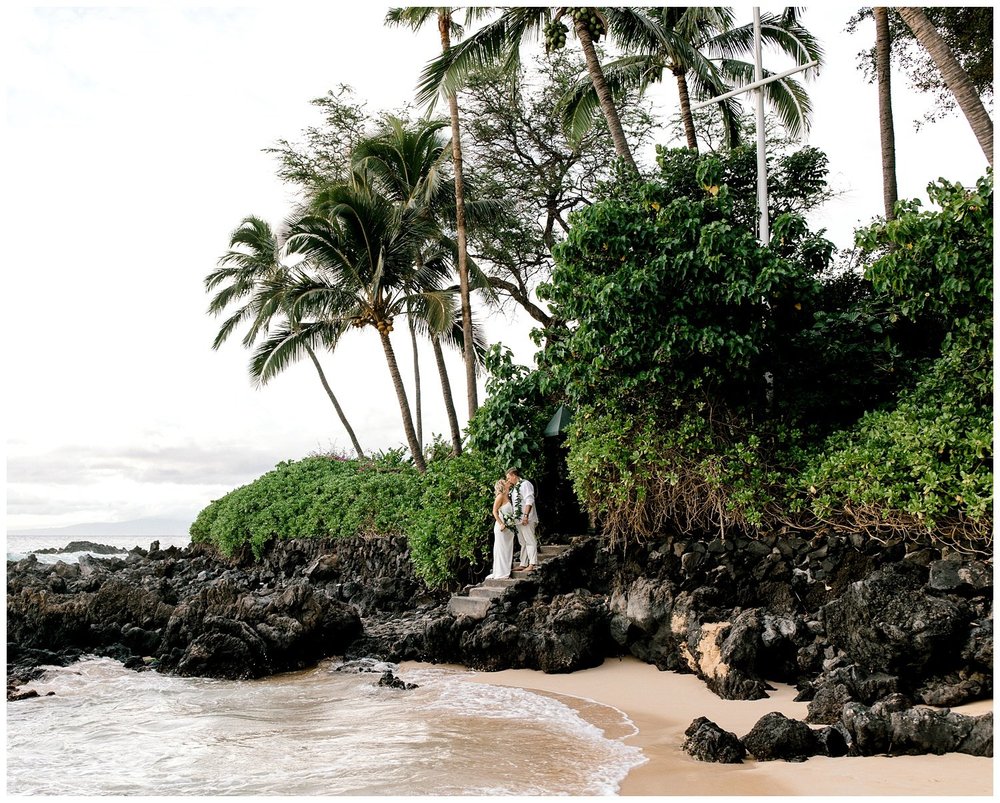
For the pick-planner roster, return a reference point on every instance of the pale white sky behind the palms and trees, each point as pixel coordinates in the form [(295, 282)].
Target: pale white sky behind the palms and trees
[(132, 147)]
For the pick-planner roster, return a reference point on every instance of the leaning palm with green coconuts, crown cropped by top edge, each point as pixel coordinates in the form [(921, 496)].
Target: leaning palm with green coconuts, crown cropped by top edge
[(499, 43)]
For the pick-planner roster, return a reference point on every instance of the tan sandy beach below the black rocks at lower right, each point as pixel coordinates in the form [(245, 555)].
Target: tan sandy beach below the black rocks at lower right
[(663, 704)]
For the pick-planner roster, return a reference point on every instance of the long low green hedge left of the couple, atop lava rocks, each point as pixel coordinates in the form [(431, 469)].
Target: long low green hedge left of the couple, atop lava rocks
[(445, 513)]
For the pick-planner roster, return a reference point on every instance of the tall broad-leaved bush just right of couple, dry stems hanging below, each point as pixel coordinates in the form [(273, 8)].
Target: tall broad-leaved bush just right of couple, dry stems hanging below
[(679, 316)]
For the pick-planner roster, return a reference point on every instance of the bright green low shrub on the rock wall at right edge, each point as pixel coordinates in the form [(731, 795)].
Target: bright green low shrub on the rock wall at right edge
[(926, 464)]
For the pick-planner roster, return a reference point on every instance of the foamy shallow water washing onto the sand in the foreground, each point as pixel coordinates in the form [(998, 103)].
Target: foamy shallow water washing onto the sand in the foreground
[(107, 730)]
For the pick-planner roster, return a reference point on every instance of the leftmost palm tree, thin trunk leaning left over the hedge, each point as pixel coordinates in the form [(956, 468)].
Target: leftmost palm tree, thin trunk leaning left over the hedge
[(253, 274)]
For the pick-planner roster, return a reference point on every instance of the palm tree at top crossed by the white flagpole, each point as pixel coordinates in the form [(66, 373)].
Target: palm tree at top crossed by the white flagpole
[(705, 52)]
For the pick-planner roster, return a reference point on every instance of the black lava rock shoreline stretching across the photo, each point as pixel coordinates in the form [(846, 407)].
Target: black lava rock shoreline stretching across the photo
[(871, 634)]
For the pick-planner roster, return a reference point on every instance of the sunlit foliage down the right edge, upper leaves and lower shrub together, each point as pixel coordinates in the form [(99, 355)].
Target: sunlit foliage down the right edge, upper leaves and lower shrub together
[(929, 458)]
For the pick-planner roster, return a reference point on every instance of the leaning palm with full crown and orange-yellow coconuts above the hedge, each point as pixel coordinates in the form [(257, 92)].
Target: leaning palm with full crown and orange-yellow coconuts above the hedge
[(361, 249)]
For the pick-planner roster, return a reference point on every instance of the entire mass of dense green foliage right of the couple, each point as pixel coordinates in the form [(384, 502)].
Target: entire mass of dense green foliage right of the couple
[(720, 383)]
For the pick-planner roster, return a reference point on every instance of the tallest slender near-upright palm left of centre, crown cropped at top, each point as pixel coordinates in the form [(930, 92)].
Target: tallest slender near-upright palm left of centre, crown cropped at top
[(417, 17)]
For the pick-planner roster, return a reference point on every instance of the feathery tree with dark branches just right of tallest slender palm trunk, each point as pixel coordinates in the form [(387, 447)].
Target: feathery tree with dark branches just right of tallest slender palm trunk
[(517, 151)]
